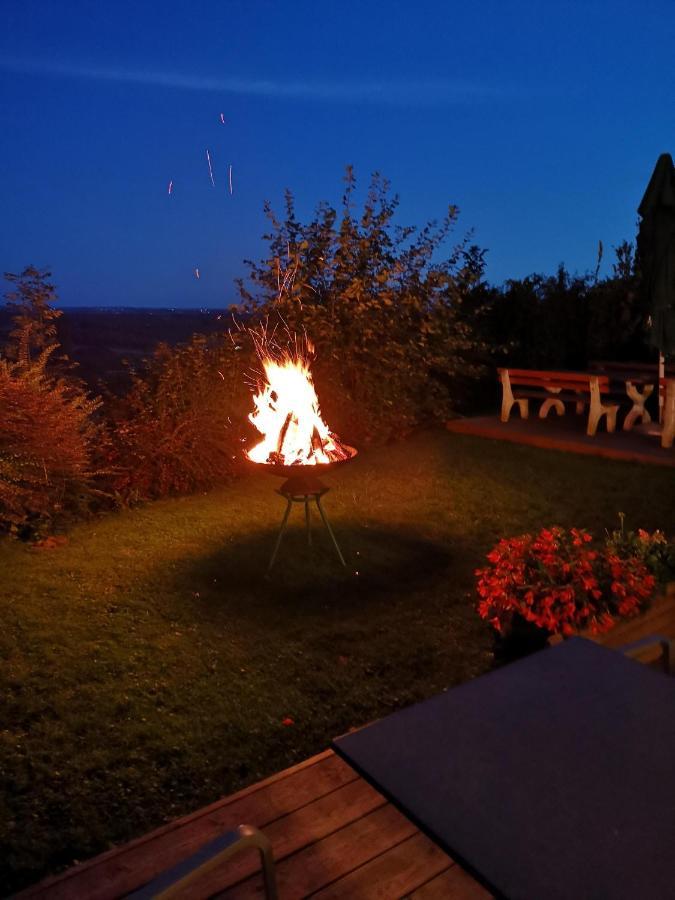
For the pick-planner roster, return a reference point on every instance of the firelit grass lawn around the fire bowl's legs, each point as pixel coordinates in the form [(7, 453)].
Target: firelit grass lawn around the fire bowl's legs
[(147, 665)]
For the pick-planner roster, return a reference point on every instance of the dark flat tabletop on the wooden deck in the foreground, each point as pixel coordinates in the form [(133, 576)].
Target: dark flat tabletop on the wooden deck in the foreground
[(552, 777)]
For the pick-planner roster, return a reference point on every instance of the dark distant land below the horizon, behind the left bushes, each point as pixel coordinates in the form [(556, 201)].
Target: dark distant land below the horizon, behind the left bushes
[(99, 339)]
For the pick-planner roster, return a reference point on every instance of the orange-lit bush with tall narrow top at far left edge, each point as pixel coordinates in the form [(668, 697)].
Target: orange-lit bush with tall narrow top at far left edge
[(47, 431)]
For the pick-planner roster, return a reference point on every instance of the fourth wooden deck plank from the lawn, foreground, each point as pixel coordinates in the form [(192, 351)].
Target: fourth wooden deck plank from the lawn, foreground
[(393, 874)]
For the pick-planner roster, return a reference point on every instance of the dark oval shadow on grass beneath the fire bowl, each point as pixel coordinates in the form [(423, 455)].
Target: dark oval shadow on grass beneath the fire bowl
[(380, 562)]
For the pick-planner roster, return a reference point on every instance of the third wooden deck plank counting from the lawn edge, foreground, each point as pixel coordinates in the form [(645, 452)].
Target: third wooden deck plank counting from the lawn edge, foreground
[(313, 867)]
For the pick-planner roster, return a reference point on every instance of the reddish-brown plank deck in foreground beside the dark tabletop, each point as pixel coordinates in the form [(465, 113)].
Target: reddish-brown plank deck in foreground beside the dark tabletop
[(333, 836)]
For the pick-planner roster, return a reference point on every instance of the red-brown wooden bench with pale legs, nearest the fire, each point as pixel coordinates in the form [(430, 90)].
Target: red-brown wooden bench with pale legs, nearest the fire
[(554, 389)]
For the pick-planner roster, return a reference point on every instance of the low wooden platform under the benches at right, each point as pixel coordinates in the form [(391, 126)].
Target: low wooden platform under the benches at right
[(567, 433)]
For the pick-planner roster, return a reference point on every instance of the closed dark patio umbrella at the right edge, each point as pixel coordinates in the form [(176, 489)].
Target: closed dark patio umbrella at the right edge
[(656, 256)]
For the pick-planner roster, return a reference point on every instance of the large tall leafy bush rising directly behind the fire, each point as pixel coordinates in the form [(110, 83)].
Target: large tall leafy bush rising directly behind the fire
[(387, 317)]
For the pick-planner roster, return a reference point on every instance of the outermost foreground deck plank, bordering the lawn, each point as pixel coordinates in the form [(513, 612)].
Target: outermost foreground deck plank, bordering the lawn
[(124, 868)]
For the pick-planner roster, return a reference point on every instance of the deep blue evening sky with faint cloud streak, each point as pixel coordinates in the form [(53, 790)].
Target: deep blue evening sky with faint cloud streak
[(541, 120)]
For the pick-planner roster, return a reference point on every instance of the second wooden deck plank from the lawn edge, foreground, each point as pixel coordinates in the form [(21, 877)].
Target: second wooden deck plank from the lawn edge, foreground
[(291, 833)]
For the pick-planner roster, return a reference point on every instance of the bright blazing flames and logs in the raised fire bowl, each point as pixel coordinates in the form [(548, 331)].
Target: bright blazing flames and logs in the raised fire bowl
[(287, 415)]
